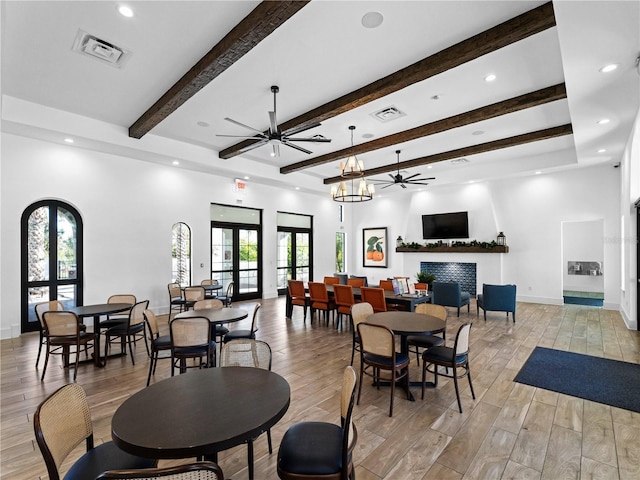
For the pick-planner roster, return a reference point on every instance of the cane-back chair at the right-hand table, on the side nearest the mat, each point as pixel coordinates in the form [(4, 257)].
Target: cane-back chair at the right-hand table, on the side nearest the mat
[(455, 358)]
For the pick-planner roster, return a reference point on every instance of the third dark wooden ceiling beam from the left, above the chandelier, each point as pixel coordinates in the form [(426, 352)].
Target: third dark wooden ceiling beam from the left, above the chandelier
[(521, 102)]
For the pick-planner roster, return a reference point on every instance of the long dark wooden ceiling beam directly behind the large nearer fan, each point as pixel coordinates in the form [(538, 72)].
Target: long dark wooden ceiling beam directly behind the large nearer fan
[(495, 38)]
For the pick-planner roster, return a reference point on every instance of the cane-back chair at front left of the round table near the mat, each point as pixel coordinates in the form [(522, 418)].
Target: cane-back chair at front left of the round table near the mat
[(378, 353)]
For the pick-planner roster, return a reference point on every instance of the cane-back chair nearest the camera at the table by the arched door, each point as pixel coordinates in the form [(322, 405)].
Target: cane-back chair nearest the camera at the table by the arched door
[(62, 332)]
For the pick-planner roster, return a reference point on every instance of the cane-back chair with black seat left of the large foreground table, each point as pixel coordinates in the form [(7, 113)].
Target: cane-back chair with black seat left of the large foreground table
[(61, 423)]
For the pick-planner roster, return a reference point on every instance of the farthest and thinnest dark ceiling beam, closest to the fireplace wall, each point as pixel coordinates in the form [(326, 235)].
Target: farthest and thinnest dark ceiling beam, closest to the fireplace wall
[(537, 136)]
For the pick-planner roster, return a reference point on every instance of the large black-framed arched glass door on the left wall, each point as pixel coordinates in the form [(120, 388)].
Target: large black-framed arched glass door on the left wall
[(51, 258)]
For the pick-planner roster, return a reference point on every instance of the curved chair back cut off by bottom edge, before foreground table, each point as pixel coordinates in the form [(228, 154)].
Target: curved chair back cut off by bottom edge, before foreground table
[(190, 471)]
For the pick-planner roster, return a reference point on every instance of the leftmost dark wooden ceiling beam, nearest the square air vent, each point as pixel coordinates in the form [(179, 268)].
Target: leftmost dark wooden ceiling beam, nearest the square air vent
[(254, 28)]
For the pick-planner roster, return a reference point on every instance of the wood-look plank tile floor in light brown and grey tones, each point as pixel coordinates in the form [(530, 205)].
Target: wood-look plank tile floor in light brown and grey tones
[(511, 431)]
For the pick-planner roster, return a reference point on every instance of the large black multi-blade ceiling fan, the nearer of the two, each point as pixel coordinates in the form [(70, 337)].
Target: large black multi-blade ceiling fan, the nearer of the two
[(275, 137)]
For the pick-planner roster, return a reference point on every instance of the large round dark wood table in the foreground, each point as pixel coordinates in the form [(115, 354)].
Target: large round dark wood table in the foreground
[(200, 413)]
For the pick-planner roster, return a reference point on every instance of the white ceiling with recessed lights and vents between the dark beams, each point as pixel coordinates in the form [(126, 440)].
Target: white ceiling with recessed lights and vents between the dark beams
[(321, 53)]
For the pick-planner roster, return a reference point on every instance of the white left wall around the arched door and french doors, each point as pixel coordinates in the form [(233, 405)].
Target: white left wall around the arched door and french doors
[(128, 208)]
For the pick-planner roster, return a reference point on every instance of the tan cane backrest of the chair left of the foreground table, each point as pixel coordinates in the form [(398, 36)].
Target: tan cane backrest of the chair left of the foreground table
[(61, 423)]
